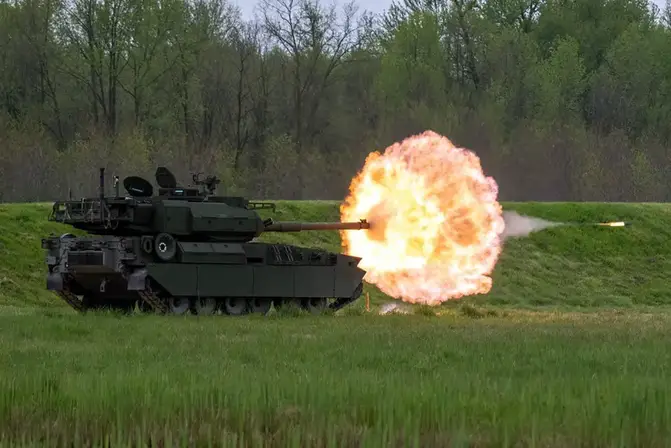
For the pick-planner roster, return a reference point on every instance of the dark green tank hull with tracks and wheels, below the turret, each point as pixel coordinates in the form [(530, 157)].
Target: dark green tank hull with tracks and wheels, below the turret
[(121, 272)]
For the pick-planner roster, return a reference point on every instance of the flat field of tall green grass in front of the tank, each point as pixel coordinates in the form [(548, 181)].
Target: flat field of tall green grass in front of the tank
[(524, 379)]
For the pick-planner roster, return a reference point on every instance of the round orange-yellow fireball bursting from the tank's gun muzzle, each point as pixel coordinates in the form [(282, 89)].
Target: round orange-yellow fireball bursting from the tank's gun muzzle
[(435, 221)]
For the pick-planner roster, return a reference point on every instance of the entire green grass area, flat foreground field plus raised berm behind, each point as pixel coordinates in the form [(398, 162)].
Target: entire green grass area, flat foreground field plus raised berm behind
[(570, 348)]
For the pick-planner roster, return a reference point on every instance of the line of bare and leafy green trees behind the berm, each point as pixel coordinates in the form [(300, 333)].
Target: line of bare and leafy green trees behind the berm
[(561, 99)]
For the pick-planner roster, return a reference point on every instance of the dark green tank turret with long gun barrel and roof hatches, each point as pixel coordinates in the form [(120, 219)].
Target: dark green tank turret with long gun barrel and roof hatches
[(192, 213)]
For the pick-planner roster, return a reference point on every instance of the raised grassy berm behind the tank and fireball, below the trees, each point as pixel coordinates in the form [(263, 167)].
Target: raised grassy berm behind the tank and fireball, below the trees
[(561, 267)]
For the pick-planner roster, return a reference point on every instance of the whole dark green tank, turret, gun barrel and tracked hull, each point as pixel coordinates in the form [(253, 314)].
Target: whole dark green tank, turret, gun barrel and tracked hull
[(188, 250)]
